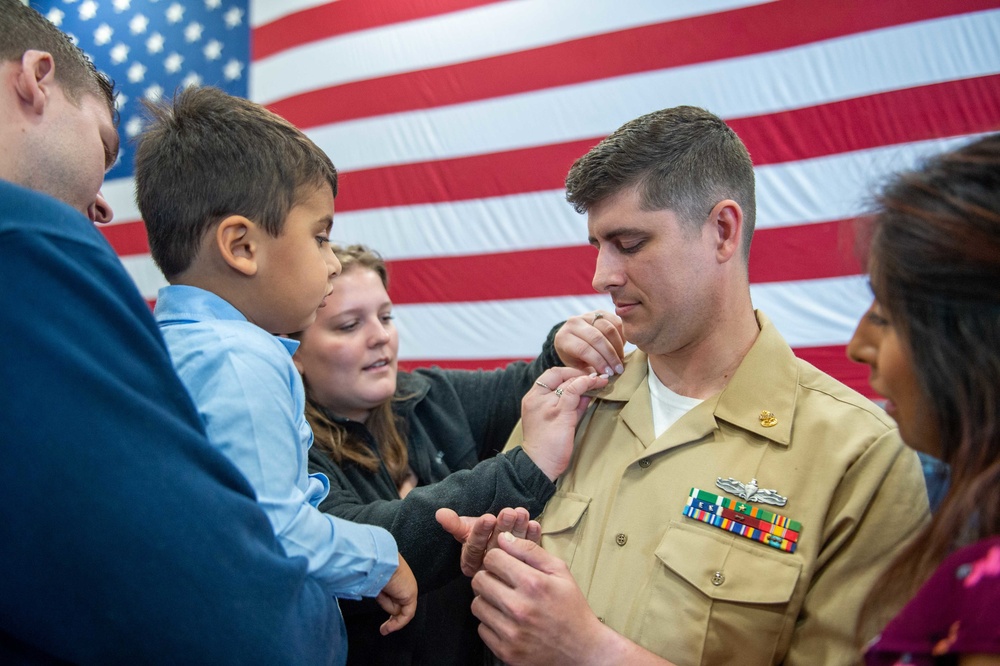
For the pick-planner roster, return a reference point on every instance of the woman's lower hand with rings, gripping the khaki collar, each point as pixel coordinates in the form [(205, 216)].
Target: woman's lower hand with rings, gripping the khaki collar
[(549, 414)]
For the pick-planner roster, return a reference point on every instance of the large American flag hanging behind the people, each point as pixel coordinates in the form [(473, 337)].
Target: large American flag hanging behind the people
[(453, 123)]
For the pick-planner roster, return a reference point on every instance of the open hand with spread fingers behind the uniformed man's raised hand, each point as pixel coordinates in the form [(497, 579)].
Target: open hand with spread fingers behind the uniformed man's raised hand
[(478, 535)]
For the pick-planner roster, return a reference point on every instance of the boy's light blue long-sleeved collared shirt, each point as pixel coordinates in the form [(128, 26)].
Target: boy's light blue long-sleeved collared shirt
[(252, 401)]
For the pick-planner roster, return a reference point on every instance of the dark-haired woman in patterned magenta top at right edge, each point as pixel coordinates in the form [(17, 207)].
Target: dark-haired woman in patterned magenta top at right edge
[(932, 340)]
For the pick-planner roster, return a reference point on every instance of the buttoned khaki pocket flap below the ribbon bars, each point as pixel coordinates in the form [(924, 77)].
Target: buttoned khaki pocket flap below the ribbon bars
[(745, 574)]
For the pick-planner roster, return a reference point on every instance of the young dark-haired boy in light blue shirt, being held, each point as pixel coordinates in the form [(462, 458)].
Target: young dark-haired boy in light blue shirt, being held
[(238, 206)]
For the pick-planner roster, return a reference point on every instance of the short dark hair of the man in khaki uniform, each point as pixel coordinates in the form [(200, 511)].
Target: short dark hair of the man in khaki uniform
[(684, 159)]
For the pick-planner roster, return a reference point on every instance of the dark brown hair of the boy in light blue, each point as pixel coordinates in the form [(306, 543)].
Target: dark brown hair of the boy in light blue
[(208, 155)]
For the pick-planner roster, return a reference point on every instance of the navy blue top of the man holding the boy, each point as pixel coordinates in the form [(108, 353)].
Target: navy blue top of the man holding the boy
[(125, 538)]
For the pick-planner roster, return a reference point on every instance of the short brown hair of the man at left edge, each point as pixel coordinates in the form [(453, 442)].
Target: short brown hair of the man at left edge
[(23, 29)]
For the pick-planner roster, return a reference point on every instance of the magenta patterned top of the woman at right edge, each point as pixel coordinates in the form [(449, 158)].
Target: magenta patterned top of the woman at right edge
[(954, 613)]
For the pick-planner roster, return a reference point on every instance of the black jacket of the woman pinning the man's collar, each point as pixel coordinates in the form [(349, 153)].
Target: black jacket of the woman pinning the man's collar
[(454, 419)]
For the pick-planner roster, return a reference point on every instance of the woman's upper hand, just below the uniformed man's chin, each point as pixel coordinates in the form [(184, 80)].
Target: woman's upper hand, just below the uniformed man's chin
[(594, 342)]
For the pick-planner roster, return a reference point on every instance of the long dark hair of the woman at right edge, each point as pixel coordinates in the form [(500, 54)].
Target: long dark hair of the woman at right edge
[(934, 262)]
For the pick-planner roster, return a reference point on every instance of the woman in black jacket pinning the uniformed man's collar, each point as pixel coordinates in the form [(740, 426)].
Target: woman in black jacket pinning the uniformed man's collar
[(398, 446)]
